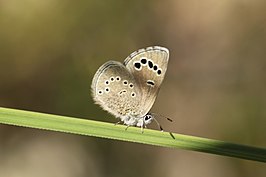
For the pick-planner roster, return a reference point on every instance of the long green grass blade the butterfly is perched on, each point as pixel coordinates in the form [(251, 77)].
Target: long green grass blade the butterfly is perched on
[(109, 130)]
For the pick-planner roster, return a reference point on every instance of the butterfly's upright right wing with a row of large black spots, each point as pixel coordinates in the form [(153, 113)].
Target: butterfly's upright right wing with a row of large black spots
[(148, 66)]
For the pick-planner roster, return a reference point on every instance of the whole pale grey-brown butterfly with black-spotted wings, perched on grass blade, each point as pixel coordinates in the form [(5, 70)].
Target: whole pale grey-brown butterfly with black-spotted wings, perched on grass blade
[(129, 90)]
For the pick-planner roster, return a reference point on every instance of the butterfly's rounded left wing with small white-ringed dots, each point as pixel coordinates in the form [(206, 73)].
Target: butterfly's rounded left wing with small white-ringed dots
[(115, 90)]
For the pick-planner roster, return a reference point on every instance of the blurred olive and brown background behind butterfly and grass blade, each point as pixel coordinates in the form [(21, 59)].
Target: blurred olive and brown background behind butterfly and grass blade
[(214, 87)]
